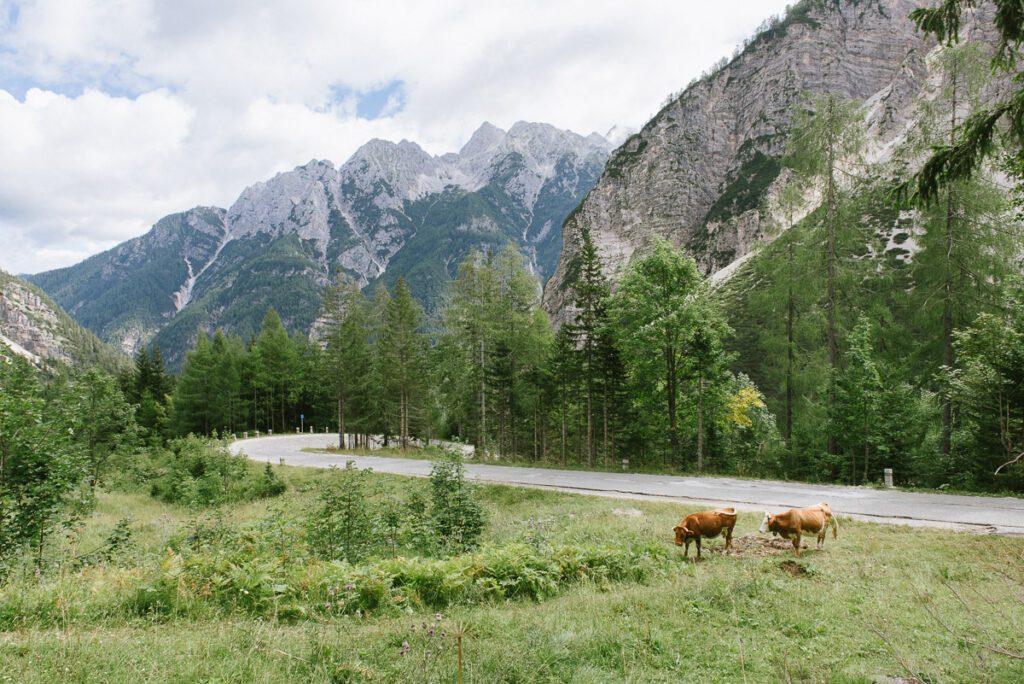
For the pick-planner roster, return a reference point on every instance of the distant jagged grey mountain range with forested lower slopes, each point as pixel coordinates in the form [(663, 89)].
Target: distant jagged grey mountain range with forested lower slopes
[(391, 211)]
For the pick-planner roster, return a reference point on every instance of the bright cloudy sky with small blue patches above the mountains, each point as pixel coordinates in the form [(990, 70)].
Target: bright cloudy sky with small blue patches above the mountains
[(116, 113)]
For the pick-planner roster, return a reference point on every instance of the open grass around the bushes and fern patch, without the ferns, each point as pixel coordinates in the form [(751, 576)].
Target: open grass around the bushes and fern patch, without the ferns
[(879, 601)]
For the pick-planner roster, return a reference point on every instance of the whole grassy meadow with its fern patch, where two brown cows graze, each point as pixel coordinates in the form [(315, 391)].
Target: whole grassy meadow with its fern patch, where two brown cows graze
[(565, 588)]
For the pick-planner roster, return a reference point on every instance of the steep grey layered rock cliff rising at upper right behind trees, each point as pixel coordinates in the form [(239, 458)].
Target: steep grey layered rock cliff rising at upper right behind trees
[(699, 173)]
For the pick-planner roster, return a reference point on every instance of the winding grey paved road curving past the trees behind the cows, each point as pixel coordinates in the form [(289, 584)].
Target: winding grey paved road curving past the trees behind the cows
[(1004, 516)]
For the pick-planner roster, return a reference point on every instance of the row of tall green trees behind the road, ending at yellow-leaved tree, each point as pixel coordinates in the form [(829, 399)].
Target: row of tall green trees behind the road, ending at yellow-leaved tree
[(642, 375)]
